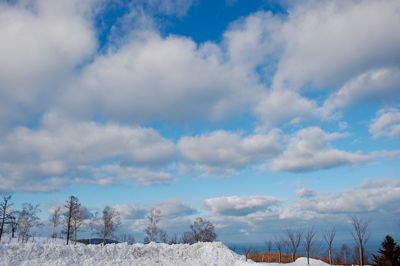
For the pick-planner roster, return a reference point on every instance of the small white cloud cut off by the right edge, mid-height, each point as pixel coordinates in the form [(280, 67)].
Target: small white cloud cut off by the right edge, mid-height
[(386, 124)]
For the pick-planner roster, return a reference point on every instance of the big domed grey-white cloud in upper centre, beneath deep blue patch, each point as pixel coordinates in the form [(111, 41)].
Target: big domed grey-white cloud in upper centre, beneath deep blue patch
[(160, 79)]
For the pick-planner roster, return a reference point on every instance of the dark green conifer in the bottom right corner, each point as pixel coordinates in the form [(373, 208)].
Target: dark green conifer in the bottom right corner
[(389, 253)]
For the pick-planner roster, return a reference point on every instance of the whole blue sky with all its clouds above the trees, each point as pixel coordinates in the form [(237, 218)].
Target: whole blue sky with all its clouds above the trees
[(257, 115)]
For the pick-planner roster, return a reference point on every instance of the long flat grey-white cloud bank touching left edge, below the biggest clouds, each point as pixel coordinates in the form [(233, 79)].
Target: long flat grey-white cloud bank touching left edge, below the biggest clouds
[(59, 152)]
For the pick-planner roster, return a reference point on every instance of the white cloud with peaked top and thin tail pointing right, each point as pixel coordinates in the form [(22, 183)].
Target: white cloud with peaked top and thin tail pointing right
[(309, 149)]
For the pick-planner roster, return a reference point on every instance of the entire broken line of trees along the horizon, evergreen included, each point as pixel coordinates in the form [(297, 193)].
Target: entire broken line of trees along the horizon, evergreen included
[(72, 217)]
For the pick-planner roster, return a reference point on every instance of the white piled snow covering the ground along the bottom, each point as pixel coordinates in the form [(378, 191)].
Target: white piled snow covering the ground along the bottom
[(57, 253)]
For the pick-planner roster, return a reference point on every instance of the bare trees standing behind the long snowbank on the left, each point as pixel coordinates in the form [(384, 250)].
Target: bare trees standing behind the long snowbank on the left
[(72, 217)]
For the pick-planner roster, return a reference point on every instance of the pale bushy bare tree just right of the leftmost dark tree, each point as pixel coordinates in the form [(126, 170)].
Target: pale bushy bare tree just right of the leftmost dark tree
[(27, 219)]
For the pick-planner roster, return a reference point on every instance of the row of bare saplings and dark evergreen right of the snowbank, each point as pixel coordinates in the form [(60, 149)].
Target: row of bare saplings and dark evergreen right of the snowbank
[(389, 254)]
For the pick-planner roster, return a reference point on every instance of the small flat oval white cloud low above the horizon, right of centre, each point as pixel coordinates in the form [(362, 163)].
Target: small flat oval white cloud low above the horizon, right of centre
[(240, 206)]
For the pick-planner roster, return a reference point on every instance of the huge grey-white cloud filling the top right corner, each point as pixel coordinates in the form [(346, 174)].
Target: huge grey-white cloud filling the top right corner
[(330, 42)]
